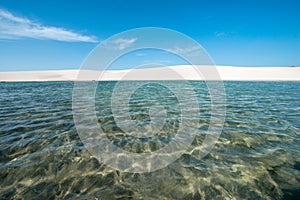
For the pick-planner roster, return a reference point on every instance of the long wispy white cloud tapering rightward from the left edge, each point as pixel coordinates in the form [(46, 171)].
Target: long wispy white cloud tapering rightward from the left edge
[(14, 27)]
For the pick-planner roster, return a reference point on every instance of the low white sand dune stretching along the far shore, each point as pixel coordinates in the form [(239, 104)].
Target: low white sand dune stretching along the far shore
[(166, 73)]
